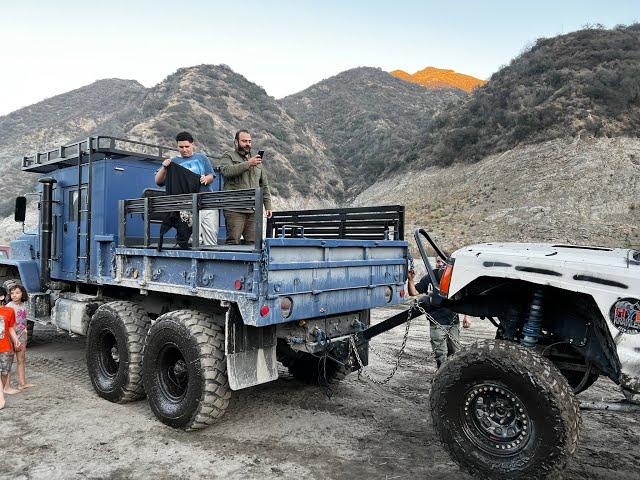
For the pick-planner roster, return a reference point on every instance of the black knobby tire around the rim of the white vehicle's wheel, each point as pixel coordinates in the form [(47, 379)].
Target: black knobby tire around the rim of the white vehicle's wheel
[(539, 374)]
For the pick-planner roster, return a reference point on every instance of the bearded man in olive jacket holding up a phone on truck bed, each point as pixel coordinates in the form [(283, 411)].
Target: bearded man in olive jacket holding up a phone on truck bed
[(240, 171)]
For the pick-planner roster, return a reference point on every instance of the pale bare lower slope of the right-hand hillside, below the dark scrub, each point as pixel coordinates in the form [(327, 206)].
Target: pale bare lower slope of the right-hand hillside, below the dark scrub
[(573, 190)]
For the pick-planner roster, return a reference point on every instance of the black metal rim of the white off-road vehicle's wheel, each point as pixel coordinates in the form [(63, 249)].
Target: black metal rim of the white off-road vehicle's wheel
[(495, 419)]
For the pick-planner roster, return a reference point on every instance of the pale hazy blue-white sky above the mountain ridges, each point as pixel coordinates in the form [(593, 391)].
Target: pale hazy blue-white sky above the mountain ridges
[(48, 48)]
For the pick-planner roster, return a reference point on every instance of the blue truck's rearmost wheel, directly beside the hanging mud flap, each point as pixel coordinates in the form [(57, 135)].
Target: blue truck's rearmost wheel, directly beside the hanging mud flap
[(185, 370)]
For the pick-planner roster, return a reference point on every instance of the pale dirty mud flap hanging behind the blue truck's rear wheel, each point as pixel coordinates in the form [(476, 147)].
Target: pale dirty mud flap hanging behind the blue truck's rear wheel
[(251, 352)]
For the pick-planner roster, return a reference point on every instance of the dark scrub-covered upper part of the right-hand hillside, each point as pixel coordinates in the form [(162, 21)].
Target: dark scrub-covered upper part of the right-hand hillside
[(586, 83)]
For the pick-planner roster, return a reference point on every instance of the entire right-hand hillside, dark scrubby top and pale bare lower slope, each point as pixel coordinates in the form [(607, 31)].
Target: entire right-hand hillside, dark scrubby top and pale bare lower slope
[(548, 150)]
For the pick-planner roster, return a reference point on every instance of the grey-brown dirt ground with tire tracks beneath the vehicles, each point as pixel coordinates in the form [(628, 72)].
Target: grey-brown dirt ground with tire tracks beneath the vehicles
[(280, 430)]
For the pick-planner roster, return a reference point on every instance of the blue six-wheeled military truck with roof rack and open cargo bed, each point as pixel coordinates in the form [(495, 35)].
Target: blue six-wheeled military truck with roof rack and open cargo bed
[(186, 326)]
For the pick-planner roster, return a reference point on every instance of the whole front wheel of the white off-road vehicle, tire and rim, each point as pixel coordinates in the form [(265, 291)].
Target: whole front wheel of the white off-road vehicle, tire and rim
[(504, 411)]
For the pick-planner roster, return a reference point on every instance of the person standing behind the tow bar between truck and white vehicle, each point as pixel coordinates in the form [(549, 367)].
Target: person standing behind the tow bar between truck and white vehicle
[(444, 337)]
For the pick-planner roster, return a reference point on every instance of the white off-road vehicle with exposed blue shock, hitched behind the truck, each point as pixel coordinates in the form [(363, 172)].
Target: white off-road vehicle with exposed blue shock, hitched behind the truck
[(565, 315)]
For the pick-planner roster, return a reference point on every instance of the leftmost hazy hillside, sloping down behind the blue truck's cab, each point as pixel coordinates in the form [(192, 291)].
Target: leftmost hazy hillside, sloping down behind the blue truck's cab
[(102, 106)]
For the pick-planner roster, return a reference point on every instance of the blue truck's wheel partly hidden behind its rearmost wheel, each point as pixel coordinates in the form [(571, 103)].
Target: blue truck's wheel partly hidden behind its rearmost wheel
[(115, 341)]
